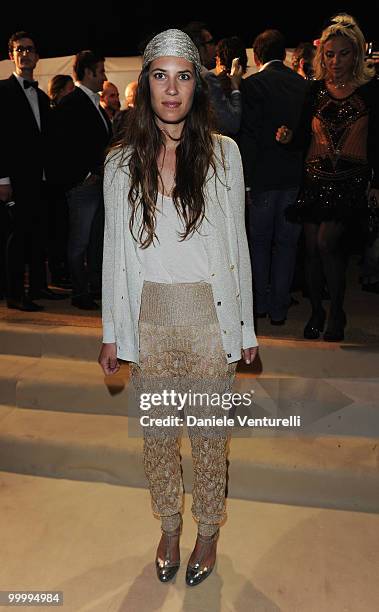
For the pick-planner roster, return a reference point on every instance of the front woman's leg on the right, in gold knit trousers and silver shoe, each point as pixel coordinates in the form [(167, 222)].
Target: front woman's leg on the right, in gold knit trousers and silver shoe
[(209, 377)]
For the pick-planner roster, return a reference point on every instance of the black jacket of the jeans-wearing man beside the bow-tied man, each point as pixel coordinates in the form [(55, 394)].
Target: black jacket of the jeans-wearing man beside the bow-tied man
[(80, 138)]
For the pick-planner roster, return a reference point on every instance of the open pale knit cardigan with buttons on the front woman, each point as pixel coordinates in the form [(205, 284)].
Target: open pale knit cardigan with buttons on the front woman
[(225, 243)]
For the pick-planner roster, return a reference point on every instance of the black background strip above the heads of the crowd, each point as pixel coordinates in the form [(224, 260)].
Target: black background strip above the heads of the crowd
[(116, 28)]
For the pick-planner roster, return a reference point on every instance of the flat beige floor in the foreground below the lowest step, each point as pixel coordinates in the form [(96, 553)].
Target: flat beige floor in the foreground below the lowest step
[(96, 542)]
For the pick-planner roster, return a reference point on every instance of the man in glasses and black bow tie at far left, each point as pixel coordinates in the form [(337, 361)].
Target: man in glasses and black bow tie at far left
[(24, 122)]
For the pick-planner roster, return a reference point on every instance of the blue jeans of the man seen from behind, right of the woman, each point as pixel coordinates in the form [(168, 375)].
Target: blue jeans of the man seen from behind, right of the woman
[(273, 242)]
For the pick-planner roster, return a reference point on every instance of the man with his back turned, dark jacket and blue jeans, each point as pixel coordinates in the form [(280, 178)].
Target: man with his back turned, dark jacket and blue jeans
[(272, 97)]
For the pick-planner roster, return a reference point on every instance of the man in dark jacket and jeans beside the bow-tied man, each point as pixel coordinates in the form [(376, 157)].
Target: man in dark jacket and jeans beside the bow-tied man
[(81, 134)]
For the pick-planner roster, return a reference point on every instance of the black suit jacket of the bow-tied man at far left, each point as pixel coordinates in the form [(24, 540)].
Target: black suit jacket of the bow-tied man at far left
[(23, 146)]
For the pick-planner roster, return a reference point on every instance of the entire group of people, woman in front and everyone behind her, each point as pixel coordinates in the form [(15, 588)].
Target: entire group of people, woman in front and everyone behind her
[(179, 208)]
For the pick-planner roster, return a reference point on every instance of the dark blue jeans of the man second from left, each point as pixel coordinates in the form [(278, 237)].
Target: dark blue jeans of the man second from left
[(85, 243)]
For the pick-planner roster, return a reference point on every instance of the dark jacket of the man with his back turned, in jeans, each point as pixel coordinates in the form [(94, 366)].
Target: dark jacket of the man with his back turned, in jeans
[(270, 98)]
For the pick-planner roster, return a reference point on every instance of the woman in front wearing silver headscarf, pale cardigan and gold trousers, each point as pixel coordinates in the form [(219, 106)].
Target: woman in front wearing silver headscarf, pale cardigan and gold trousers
[(177, 292)]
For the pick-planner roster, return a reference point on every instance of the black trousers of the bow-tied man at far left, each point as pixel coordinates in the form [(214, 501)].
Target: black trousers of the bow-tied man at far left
[(26, 242)]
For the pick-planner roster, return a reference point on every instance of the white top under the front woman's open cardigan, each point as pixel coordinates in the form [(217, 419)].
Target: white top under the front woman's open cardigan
[(168, 259)]
